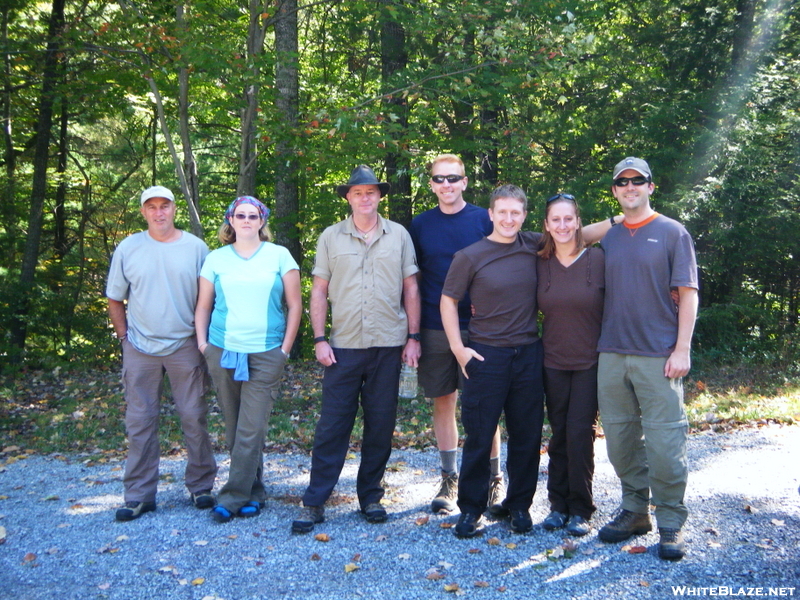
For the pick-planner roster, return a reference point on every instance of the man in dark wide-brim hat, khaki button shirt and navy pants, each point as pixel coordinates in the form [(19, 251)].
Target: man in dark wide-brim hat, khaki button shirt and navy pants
[(366, 270)]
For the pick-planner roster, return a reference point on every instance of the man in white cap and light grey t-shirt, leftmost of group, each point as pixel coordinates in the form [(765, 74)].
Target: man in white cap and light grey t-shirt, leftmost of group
[(156, 272)]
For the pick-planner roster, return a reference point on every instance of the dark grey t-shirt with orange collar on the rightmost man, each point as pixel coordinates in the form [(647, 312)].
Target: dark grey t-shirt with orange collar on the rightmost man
[(642, 264)]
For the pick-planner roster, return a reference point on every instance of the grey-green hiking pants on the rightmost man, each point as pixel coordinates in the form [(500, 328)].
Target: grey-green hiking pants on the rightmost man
[(646, 429)]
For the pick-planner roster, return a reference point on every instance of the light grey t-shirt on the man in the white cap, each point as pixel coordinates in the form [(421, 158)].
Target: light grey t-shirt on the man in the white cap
[(159, 281)]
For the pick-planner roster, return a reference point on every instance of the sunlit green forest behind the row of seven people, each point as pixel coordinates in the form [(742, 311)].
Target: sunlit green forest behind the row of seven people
[(281, 99)]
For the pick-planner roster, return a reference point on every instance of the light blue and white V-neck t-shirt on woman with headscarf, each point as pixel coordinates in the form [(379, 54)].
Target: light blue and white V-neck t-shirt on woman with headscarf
[(248, 312)]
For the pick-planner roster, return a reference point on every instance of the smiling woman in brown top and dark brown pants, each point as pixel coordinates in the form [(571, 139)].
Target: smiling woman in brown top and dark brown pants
[(570, 296)]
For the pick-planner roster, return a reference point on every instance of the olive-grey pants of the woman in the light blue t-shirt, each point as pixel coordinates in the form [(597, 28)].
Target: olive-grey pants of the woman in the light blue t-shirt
[(246, 406)]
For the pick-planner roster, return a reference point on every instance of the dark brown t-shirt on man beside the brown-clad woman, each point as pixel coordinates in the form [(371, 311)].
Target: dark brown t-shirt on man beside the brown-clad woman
[(501, 281)]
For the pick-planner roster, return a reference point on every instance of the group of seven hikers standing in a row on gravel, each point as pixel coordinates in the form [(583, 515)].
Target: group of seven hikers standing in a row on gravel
[(457, 295)]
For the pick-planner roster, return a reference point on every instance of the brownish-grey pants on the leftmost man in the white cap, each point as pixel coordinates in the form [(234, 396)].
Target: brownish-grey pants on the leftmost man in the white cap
[(143, 378)]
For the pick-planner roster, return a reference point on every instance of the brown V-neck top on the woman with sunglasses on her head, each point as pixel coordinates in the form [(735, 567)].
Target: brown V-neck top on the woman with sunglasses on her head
[(571, 300)]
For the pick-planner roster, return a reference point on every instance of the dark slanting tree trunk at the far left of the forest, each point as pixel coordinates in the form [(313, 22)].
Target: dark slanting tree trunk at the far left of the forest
[(30, 258)]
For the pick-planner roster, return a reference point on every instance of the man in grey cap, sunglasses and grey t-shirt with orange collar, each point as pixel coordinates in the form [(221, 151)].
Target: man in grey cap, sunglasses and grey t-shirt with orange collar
[(644, 352)]
